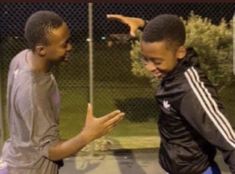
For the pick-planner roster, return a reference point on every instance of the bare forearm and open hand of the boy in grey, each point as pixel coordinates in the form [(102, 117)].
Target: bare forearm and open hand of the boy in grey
[(94, 128)]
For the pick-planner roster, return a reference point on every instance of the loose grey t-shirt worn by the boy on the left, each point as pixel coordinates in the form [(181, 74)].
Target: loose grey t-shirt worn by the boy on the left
[(33, 109)]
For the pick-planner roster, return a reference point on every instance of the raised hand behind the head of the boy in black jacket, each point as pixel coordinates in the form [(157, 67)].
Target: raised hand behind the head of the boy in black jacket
[(133, 22)]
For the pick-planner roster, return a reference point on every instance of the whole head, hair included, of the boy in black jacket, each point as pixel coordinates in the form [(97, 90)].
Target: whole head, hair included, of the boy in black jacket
[(162, 44)]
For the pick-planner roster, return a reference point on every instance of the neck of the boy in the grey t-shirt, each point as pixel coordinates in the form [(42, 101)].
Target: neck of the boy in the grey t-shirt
[(37, 63)]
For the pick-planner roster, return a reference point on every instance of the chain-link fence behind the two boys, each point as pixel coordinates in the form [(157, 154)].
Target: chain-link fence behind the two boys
[(114, 84)]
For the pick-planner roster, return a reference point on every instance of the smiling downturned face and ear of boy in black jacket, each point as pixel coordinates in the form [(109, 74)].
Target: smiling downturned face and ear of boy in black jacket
[(159, 59)]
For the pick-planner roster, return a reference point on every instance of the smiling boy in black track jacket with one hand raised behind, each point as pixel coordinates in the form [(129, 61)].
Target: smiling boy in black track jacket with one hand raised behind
[(191, 123)]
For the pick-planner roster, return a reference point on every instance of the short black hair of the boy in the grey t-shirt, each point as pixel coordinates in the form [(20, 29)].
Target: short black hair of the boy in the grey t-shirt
[(39, 26)]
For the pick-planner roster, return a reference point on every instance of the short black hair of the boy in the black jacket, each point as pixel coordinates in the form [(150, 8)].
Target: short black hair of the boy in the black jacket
[(165, 27)]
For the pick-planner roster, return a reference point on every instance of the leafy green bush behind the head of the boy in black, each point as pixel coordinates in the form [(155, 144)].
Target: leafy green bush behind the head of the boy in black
[(213, 43)]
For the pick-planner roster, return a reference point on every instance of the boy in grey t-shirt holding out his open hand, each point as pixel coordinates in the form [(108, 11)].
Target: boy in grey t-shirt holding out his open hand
[(34, 146)]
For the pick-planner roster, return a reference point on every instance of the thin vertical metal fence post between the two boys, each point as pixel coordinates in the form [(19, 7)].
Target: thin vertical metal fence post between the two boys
[(90, 40)]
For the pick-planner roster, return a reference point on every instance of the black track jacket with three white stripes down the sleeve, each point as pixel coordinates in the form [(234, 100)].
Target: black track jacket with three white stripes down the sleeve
[(191, 121)]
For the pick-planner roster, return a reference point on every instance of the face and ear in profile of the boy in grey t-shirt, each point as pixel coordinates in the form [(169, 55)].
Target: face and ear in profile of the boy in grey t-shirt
[(58, 45)]
